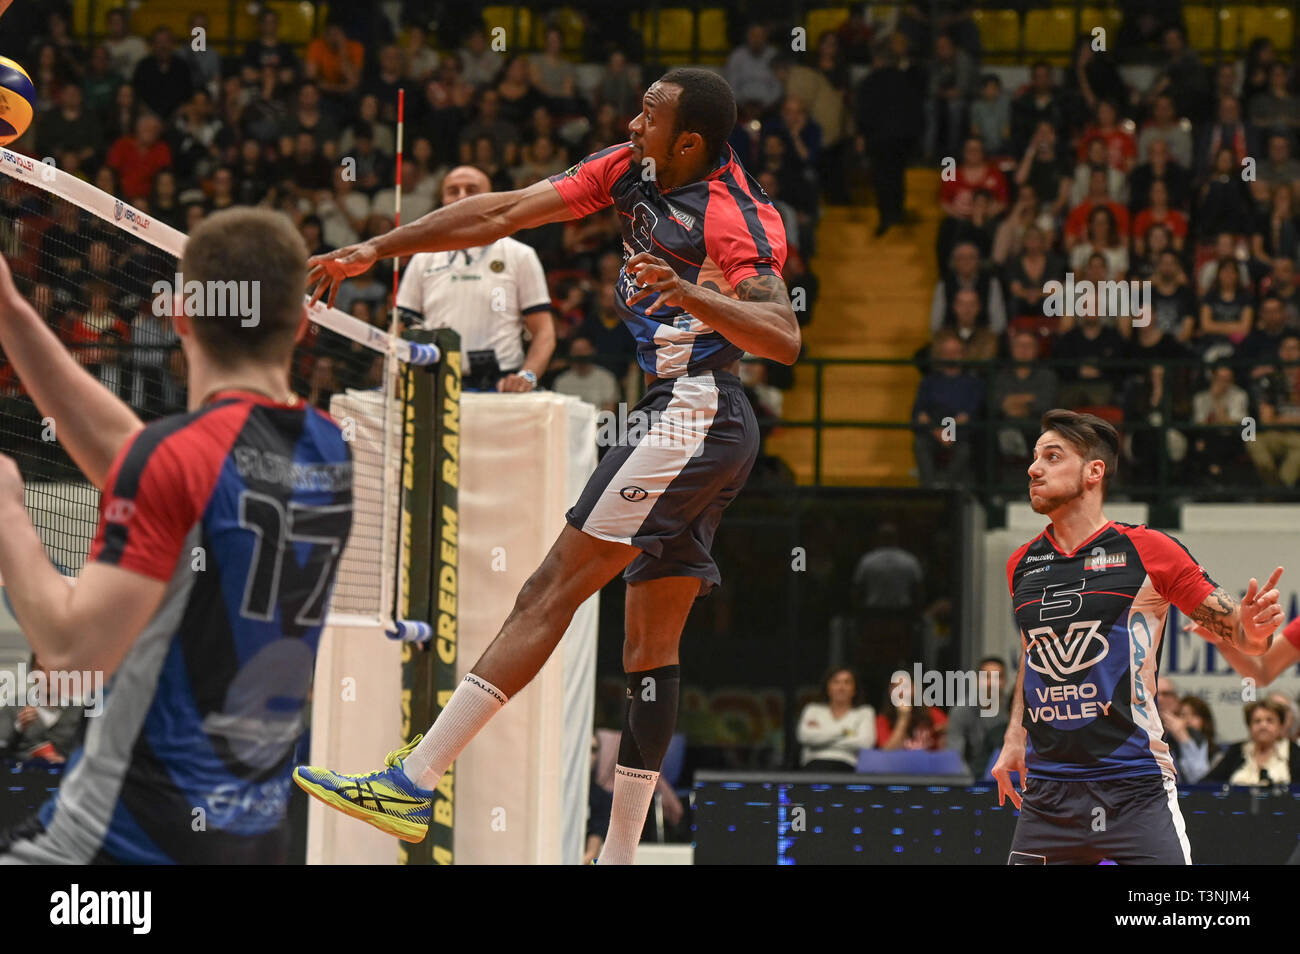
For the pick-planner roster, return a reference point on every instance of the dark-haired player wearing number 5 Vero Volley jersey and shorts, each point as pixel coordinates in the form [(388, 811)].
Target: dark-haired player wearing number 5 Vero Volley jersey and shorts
[(1091, 599)]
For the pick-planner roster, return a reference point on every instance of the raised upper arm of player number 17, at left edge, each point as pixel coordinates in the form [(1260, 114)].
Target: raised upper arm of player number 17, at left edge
[(92, 422)]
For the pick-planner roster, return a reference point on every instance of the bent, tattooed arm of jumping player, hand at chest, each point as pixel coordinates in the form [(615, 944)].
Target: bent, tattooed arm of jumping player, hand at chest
[(761, 322)]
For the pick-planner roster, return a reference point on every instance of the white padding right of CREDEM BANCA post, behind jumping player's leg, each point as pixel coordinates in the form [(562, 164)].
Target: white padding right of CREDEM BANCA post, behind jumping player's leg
[(522, 784)]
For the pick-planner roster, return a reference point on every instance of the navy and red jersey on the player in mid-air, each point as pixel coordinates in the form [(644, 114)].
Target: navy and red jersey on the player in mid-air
[(716, 233)]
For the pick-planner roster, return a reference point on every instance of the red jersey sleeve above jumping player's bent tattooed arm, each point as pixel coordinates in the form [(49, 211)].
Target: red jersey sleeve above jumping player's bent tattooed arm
[(746, 237)]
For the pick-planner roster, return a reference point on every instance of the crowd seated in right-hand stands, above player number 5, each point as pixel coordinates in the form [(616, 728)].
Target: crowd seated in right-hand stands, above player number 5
[(1188, 187)]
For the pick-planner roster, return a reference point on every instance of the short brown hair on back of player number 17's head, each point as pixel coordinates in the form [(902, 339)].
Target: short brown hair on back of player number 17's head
[(249, 245)]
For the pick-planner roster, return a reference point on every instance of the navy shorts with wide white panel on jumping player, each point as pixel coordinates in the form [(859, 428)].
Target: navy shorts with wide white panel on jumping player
[(688, 450)]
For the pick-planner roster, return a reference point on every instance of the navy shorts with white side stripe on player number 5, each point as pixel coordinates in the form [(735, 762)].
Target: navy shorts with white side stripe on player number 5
[(1125, 821)]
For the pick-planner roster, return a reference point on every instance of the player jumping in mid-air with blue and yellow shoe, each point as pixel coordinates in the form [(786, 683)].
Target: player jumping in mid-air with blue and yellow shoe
[(703, 285)]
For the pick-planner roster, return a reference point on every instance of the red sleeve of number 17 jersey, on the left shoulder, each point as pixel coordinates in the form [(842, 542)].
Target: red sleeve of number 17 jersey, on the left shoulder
[(149, 506)]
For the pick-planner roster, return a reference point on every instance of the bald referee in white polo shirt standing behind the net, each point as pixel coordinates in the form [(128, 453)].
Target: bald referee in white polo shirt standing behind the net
[(488, 296)]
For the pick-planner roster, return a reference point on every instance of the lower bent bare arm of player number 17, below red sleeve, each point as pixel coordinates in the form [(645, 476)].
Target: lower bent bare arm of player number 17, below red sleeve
[(88, 627)]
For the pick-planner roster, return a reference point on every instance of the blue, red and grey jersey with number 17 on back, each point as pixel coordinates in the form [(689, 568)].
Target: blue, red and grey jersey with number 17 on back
[(244, 509)]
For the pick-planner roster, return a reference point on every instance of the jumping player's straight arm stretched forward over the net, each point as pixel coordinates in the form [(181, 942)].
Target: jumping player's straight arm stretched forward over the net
[(476, 220)]
